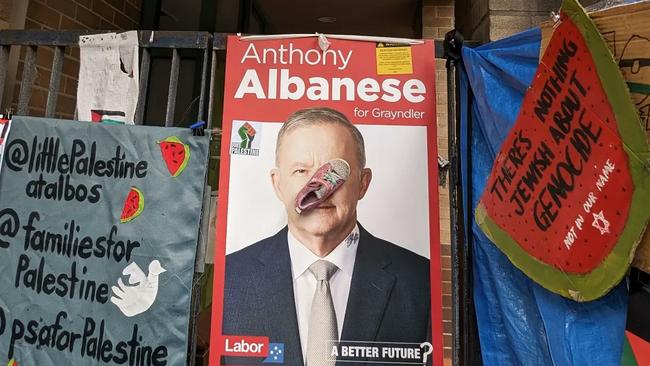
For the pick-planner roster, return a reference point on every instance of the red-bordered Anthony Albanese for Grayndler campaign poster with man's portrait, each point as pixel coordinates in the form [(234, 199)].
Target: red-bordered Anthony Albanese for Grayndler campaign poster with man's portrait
[(297, 112)]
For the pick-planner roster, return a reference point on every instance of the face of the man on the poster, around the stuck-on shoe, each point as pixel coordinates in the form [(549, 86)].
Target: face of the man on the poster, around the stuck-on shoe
[(303, 151)]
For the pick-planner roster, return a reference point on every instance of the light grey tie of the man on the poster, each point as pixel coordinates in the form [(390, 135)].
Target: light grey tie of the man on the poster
[(322, 319)]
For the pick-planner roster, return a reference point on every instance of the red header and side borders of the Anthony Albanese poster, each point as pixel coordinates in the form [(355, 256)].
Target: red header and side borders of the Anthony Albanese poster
[(361, 65)]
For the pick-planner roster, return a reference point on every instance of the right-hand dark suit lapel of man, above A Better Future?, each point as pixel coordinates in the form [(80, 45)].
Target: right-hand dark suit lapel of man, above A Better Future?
[(369, 291)]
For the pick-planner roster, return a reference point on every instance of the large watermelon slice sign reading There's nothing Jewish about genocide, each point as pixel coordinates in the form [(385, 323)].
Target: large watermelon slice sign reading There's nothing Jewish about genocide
[(568, 194)]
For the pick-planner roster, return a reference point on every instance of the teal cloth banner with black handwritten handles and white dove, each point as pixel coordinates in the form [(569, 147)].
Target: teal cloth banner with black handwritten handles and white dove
[(98, 233)]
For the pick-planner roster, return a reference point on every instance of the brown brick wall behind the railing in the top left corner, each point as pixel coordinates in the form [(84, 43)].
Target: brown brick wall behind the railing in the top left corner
[(107, 15)]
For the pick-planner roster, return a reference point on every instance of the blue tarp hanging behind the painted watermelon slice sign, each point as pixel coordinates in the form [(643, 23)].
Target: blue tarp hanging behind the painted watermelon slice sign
[(520, 322)]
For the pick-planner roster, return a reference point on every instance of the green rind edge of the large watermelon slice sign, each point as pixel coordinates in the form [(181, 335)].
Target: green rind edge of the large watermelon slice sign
[(598, 282)]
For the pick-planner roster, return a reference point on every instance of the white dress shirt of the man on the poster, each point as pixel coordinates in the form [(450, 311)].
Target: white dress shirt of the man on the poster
[(304, 283)]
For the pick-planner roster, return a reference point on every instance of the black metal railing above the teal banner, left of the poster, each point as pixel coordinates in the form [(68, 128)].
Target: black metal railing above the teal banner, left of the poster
[(208, 43)]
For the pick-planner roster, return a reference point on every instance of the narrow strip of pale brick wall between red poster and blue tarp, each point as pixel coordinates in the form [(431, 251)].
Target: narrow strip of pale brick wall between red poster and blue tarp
[(438, 19)]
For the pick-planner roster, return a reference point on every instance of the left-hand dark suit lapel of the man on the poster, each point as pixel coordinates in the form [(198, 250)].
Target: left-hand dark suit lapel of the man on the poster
[(278, 299)]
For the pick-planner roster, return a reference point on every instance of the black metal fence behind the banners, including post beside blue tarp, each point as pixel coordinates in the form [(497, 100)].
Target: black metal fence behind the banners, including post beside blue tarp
[(209, 45)]
